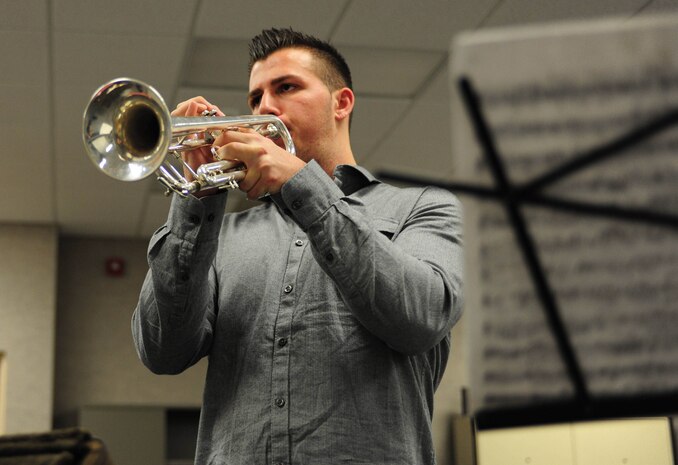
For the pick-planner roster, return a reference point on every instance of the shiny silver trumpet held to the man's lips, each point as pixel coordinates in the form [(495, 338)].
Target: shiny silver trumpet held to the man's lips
[(129, 134)]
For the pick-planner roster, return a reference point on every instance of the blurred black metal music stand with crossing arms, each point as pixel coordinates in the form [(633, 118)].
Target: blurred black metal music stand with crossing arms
[(582, 405)]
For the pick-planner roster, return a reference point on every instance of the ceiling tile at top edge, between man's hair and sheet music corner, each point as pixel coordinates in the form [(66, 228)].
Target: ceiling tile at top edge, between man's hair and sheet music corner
[(425, 24)]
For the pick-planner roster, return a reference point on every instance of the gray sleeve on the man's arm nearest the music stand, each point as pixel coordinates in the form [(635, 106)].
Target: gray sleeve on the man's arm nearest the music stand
[(406, 291)]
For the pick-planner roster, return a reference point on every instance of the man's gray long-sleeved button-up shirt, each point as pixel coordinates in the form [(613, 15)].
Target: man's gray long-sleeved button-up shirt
[(325, 315)]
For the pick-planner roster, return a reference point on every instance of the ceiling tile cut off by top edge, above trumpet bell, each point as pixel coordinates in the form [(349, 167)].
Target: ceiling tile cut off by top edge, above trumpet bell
[(171, 17)]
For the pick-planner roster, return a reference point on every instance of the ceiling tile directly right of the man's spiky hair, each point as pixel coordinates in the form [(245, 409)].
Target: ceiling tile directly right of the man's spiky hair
[(388, 72)]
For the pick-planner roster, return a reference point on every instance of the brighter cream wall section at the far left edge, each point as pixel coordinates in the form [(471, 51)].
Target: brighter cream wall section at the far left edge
[(27, 314)]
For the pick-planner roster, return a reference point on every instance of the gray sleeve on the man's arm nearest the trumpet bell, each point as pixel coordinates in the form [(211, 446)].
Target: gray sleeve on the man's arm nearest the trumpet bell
[(172, 323)]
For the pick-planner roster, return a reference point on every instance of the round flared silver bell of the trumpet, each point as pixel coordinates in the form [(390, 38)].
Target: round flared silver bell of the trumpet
[(127, 129)]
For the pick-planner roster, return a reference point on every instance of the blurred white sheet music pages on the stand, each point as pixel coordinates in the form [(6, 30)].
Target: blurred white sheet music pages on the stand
[(550, 94)]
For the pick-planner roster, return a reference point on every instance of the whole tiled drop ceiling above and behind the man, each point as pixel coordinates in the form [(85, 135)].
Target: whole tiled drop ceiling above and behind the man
[(400, 106)]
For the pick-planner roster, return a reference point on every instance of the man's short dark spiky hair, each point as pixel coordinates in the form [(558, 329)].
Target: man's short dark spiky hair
[(334, 71)]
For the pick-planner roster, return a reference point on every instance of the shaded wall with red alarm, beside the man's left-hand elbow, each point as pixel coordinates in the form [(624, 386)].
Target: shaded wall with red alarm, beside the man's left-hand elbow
[(96, 361)]
